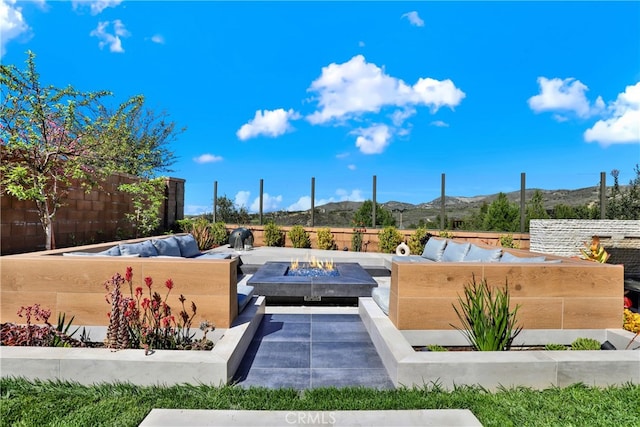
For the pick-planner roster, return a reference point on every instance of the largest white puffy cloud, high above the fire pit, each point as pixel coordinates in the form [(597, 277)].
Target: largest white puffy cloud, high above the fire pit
[(356, 87)]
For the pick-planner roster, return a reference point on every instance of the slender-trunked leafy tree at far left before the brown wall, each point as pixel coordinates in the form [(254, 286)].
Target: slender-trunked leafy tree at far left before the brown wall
[(46, 141)]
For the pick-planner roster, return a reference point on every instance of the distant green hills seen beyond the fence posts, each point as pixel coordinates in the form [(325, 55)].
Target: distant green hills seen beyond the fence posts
[(339, 214)]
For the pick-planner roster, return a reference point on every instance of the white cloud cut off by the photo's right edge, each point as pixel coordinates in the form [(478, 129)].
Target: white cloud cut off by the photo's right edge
[(623, 122)]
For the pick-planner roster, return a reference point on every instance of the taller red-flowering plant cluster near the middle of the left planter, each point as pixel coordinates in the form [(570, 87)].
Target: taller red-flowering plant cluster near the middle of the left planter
[(146, 321)]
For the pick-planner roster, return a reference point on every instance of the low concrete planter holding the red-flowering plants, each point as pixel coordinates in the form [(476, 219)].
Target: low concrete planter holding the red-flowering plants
[(163, 367)]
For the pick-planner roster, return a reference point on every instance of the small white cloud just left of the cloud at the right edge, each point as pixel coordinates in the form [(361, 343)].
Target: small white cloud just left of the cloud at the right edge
[(564, 95)]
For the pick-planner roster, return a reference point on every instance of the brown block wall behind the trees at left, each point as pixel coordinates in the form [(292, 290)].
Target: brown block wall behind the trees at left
[(87, 217)]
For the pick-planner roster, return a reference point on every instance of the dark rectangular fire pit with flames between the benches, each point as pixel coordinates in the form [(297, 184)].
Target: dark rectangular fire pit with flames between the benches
[(283, 279)]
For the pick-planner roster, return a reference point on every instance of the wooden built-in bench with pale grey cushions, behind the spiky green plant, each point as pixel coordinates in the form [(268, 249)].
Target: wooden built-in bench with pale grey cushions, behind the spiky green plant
[(553, 292)]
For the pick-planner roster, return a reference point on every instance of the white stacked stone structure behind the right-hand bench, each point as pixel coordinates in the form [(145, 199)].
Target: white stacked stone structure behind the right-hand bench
[(565, 237)]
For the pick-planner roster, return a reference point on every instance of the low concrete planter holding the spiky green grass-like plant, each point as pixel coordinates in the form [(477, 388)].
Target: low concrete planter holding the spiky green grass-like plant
[(535, 369)]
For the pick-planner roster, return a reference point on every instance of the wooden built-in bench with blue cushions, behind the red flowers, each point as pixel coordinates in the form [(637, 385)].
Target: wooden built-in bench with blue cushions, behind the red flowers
[(73, 280)]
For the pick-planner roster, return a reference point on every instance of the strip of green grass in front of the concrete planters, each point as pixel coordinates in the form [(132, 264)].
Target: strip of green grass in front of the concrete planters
[(28, 403)]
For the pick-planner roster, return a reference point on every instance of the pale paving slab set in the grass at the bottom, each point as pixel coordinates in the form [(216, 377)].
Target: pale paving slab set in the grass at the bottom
[(407, 418)]
